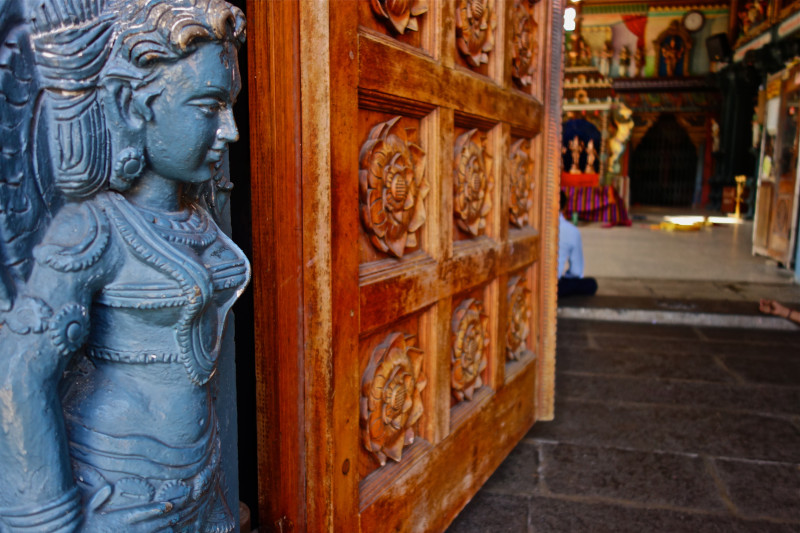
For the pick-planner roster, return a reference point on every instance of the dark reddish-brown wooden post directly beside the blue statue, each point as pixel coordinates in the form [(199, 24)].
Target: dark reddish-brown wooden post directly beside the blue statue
[(276, 198)]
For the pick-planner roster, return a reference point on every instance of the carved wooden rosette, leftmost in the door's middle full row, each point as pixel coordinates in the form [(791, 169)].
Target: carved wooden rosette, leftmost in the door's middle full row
[(392, 188)]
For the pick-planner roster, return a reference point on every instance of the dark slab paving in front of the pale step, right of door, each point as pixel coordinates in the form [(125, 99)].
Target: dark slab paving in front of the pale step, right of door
[(657, 429)]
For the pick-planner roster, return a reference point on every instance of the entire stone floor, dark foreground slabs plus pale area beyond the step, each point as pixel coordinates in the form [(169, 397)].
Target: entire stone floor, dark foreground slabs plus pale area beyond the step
[(662, 428)]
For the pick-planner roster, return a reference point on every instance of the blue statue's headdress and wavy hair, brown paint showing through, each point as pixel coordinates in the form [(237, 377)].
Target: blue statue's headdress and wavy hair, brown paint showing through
[(80, 44)]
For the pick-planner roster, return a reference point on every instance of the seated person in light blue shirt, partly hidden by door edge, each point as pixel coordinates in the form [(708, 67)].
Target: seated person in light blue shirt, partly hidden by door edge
[(570, 250)]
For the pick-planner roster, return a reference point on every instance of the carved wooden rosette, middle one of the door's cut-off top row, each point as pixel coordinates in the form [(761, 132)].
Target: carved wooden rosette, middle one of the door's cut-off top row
[(475, 25)]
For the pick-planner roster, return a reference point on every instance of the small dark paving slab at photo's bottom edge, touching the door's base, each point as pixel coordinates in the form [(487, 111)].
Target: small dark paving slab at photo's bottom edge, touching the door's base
[(491, 513)]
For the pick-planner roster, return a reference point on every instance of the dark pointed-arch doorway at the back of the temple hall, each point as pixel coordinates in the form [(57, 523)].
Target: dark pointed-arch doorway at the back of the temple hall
[(664, 166)]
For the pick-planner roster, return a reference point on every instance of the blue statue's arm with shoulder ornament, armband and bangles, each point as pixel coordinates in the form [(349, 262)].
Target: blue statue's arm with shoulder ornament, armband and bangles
[(48, 322)]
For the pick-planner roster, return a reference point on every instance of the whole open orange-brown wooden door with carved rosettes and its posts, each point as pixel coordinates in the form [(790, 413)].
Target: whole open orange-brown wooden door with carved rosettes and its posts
[(421, 183)]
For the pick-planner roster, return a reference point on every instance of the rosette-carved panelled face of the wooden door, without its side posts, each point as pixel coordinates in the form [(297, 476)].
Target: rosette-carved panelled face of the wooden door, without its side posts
[(456, 301)]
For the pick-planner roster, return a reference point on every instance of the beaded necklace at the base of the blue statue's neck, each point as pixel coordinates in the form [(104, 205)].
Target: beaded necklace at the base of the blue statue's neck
[(188, 226)]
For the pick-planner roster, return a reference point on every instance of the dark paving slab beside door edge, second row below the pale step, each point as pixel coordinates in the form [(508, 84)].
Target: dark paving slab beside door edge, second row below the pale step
[(646, 364)]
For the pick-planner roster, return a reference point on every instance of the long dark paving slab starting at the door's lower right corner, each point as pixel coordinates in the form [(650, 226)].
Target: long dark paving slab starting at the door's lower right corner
[(660, 428)]
